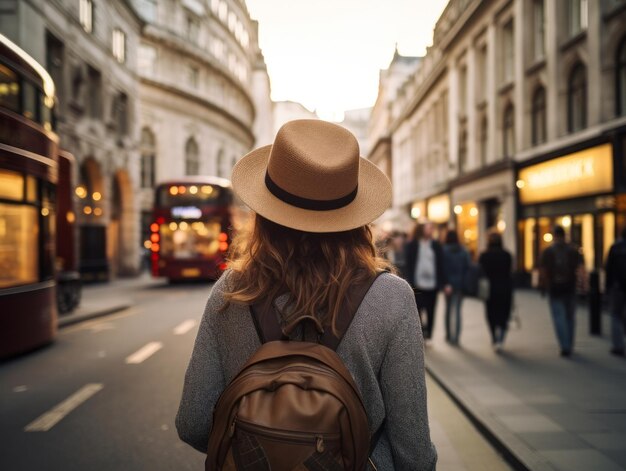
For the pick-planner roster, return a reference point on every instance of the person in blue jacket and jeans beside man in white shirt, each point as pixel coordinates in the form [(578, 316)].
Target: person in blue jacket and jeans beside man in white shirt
[(456, 262)]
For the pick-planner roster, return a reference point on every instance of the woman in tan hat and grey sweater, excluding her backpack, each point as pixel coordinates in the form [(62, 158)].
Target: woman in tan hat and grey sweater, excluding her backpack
[(309, 245)]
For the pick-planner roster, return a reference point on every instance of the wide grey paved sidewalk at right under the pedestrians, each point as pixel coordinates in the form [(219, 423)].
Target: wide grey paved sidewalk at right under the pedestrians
[(542, 411)]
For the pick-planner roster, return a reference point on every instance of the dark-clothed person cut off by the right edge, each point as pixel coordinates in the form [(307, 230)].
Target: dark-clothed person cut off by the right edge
[(616, 289)]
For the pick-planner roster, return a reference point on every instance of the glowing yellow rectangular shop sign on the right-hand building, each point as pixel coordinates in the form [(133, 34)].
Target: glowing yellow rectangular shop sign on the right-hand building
[(583, 173)]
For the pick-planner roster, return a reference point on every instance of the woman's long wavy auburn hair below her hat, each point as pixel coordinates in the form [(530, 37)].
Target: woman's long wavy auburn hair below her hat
[(316, 270)]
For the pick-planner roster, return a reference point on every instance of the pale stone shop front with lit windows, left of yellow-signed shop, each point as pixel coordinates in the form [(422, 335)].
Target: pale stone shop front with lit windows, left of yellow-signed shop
[(484, 202)]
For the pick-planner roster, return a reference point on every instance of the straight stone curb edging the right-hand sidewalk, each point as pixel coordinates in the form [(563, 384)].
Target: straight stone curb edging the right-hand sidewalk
[(516, 453)]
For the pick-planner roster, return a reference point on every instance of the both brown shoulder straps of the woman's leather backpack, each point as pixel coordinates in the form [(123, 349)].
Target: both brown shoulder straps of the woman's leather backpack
[(268, 327)]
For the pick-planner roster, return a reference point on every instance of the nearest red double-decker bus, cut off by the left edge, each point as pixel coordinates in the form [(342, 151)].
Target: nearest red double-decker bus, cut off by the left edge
[(28, 180)]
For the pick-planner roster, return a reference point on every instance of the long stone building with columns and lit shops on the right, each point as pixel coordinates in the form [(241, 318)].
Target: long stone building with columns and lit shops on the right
[(516, 121)]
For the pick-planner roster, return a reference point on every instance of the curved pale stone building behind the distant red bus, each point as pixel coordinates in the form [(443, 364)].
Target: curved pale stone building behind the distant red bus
[(203, 83)]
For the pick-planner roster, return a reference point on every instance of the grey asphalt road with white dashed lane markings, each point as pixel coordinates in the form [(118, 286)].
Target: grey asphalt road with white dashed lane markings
[(105, 394)]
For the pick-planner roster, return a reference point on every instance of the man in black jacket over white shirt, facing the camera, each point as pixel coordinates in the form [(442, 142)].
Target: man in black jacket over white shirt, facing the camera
[(425, 273)]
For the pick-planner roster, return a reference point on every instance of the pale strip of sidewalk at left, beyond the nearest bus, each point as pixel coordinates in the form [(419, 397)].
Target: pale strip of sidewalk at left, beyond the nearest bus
[(102, 299)]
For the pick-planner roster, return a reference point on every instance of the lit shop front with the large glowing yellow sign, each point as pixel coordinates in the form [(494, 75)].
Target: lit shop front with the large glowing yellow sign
[(575, 191)]
